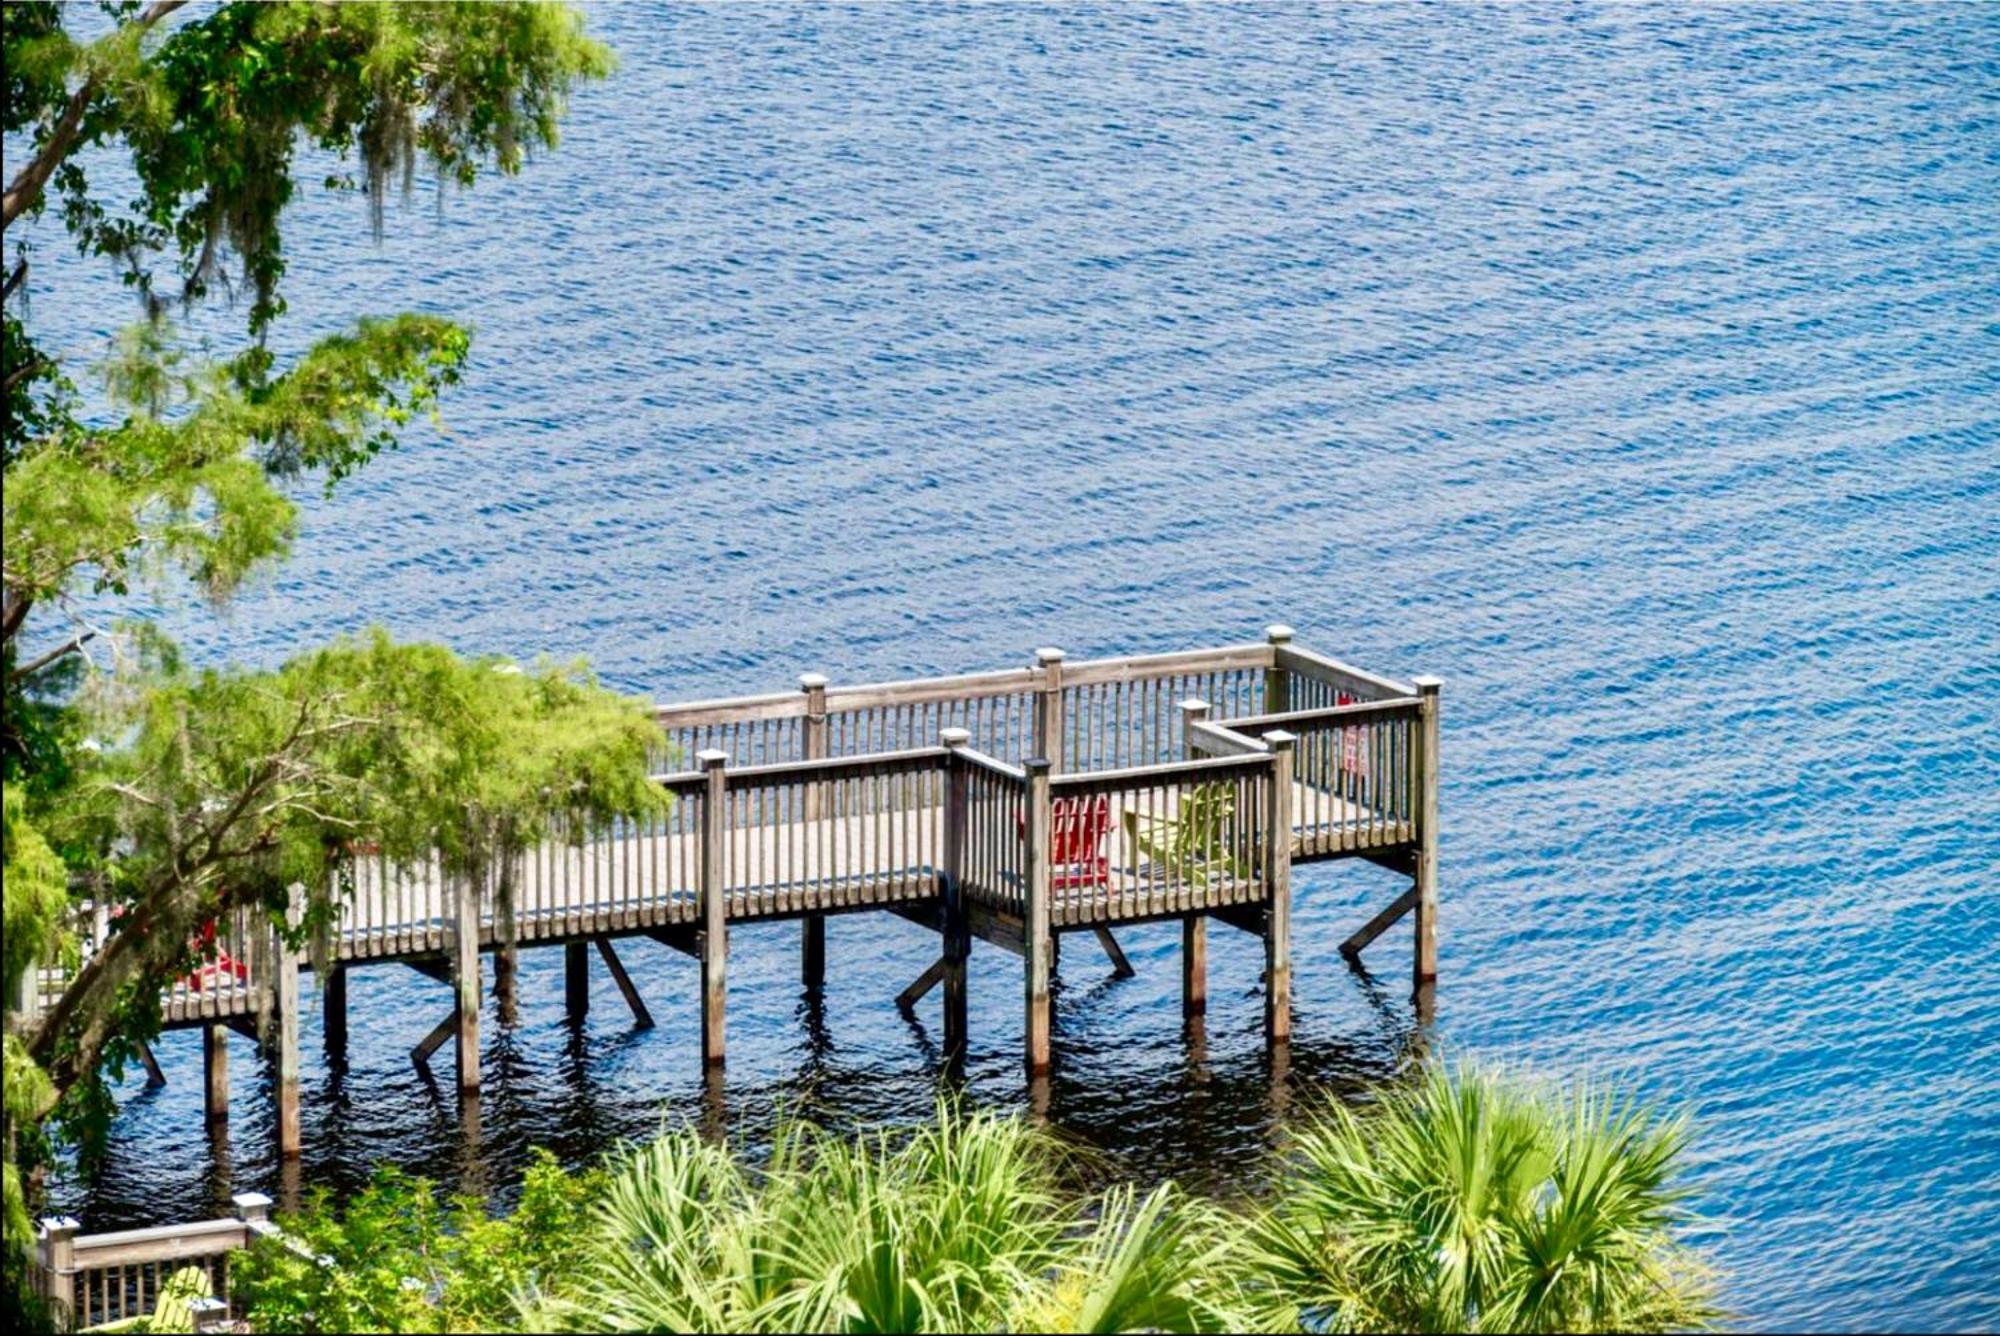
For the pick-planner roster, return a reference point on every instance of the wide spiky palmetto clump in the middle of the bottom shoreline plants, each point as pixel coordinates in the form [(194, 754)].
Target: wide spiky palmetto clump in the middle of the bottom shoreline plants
[(959, 1227)]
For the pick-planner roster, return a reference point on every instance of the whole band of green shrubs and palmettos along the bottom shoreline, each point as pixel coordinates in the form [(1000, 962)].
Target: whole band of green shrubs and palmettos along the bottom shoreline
[(1463, 1199)]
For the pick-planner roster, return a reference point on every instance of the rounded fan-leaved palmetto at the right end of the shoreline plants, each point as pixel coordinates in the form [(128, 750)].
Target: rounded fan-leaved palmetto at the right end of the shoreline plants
[(1473, 1203)]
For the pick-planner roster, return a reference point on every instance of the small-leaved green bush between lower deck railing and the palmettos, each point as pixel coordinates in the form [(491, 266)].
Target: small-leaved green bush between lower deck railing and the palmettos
[(401, 1261)]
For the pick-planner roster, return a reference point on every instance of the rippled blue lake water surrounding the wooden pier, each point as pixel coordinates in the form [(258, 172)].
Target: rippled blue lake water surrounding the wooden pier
[(1635, 371)]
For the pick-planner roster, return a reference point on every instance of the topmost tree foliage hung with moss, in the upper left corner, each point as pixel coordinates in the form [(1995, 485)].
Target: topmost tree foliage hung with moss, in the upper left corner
[(215, 111)]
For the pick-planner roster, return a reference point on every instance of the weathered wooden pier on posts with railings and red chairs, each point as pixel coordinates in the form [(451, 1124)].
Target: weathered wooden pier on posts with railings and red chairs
[(1005, 807)]
